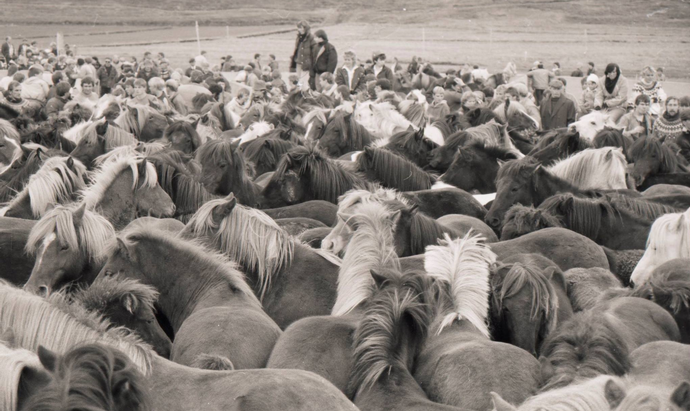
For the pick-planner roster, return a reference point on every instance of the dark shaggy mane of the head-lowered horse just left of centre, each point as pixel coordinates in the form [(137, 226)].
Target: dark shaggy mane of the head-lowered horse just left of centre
[(328, 178)]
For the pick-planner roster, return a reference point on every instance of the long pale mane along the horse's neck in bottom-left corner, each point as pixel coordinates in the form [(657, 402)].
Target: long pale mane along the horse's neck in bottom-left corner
[(59, 325)]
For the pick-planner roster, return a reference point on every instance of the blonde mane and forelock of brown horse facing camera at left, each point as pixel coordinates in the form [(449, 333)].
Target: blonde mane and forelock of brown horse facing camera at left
[(91, 237)]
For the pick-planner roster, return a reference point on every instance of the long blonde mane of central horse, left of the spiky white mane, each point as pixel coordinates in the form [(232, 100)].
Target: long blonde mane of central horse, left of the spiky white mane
[(370, 248)]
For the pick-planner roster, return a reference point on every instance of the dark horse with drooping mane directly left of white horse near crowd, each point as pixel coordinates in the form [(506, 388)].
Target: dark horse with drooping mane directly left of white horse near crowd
[(343, 134)]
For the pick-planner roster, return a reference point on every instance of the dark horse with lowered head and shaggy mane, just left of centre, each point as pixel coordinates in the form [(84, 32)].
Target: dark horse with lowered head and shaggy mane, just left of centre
[(306, 173)]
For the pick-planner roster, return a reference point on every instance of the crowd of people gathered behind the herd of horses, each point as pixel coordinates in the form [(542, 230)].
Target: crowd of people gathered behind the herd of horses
[(52, 81)]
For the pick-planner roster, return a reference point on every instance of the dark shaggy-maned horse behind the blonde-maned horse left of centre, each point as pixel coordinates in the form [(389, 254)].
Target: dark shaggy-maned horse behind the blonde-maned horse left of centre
[(223, 171)]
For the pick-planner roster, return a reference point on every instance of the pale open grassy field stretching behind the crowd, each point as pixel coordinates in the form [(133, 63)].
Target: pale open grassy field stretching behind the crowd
[(632, 33)]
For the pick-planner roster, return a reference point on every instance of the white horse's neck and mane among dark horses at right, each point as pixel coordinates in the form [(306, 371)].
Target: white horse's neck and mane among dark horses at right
[(594, 169)]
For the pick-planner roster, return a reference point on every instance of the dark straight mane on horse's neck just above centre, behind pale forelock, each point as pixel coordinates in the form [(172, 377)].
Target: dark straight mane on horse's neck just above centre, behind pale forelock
[(394, 170)]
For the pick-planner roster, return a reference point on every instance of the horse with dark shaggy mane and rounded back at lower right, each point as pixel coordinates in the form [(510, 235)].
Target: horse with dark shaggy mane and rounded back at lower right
[(599, 341)]
